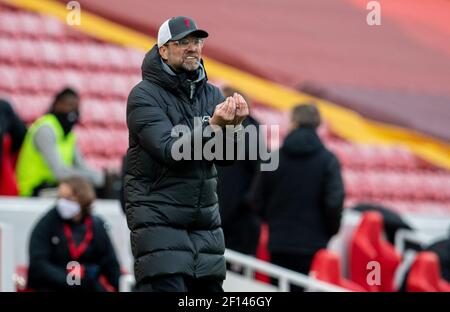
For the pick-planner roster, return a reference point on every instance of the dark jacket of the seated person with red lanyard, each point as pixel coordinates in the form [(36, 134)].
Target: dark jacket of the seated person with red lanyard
[(49, 255)]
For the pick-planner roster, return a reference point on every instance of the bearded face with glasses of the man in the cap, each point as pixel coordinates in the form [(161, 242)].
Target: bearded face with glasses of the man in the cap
[(183, 54)]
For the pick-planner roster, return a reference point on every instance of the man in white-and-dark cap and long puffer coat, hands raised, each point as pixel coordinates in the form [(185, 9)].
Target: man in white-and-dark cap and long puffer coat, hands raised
[(171, 204)]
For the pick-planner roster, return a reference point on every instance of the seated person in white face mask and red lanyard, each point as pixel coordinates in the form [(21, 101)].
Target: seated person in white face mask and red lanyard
[(69, 232)]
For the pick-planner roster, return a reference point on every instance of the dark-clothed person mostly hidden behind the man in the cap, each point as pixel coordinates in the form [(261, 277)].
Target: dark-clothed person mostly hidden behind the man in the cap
[(240, 224)]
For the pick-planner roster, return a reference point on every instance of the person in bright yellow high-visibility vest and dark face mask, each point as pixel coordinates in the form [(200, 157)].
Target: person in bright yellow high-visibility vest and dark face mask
[(49, 153)]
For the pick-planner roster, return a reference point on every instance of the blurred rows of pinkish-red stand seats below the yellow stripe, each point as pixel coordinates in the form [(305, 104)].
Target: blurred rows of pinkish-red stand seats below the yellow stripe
[(104, 73)]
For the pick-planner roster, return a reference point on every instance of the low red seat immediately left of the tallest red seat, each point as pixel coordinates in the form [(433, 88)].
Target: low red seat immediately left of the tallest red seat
[(326, 267)]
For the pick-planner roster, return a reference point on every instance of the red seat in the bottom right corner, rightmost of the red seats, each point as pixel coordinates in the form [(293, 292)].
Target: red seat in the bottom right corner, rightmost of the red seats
[(425, 274)]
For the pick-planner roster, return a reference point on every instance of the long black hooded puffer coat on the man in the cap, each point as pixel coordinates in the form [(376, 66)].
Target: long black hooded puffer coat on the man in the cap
[(171, 206)]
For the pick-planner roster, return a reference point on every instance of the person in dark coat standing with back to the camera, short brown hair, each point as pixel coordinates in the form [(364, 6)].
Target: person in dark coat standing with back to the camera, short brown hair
[(302, 200)]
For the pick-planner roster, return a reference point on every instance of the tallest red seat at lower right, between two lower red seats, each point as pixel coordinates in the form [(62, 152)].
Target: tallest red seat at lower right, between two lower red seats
[(367, 246)]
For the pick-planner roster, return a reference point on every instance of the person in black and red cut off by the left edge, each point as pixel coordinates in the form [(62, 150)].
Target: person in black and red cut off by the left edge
[(12, 133)]
